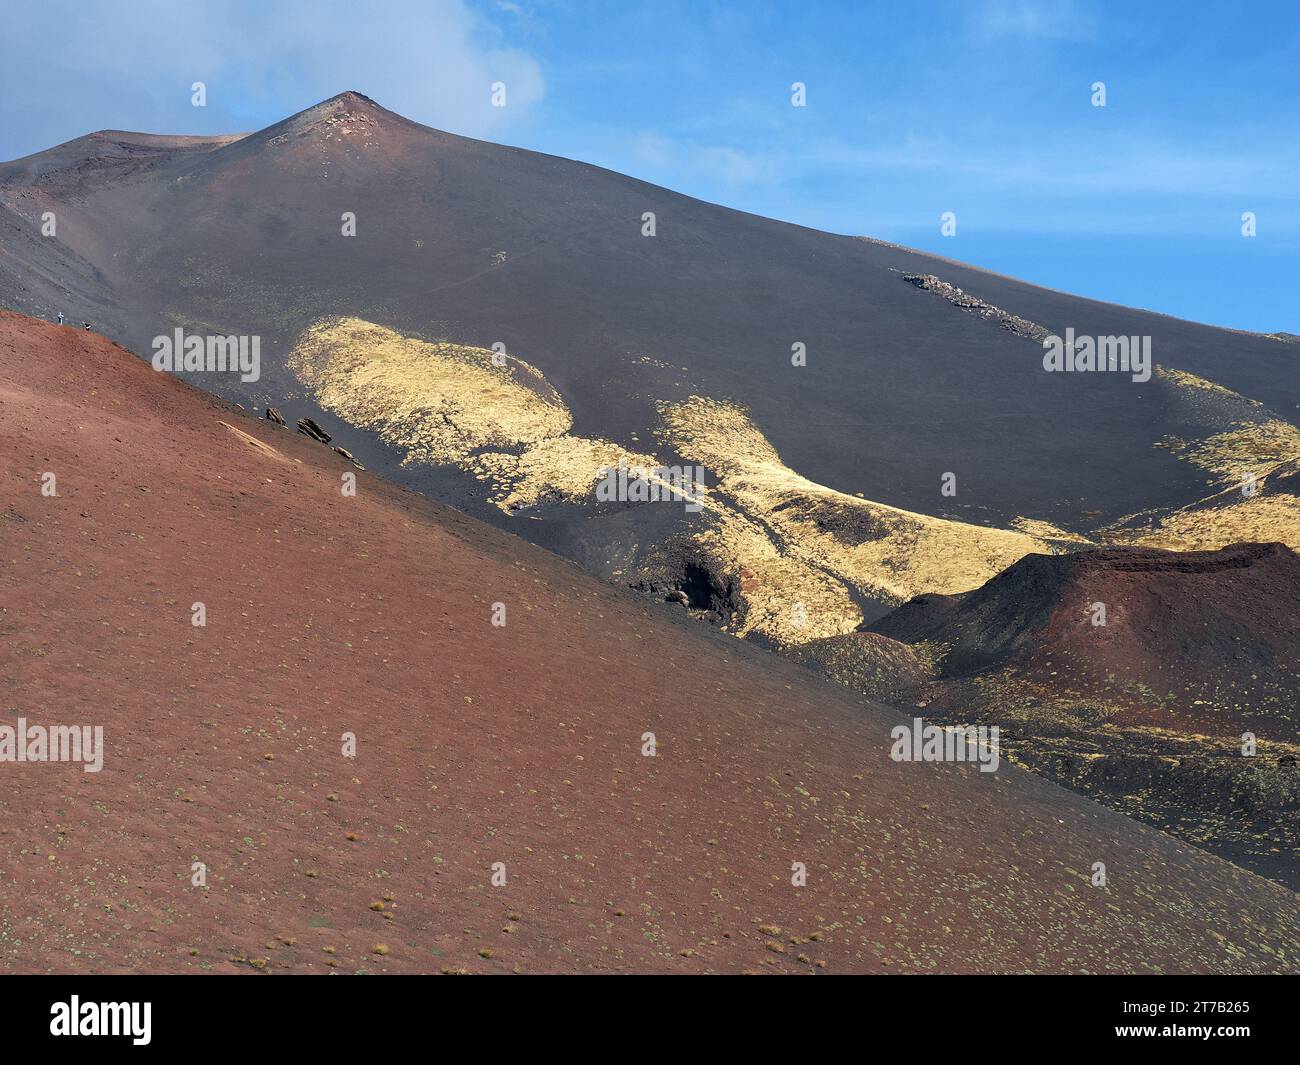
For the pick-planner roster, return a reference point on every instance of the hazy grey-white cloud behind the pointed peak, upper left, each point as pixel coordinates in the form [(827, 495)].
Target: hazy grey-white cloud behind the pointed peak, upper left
[(80, 67)]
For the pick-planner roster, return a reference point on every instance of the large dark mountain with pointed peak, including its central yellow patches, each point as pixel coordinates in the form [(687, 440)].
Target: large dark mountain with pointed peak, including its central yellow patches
[(478, 245)]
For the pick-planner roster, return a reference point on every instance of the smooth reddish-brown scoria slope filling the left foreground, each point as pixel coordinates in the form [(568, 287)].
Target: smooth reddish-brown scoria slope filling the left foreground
[(476, 746)]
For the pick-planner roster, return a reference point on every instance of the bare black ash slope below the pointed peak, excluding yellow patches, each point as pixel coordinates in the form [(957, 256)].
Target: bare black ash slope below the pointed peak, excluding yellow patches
[(899, 388)]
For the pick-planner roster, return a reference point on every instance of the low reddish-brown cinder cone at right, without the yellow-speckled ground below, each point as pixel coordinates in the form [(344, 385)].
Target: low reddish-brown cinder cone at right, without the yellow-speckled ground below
[(1194, 640)]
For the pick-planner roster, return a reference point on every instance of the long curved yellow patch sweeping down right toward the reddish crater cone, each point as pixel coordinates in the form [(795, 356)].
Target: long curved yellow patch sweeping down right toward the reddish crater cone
[(890, 553)]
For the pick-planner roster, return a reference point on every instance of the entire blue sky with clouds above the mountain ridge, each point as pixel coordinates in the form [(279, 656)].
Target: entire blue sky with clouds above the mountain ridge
[(982, 109)]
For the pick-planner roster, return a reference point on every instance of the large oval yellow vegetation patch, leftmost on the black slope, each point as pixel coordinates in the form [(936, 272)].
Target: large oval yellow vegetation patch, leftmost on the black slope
[(436, 402)]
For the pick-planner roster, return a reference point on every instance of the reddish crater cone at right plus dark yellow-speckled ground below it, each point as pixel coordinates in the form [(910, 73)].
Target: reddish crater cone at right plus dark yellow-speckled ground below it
[(1160, 683)]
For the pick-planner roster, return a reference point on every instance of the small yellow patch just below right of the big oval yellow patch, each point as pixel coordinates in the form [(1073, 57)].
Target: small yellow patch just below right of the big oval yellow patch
[(564, 469)]
